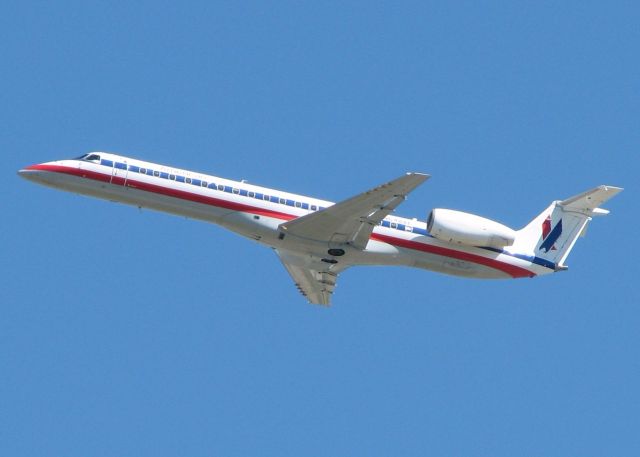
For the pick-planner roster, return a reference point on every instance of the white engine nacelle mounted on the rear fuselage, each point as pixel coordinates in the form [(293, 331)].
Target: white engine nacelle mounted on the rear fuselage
[(468, 229)]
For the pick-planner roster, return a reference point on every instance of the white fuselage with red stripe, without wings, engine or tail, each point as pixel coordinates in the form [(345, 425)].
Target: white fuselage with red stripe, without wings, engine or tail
[(256, 212)]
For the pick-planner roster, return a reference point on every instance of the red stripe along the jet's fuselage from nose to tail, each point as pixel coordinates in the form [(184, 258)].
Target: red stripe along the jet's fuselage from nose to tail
[(512, 270)]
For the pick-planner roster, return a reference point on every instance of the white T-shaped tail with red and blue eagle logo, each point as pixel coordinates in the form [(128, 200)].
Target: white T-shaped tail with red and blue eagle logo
[(553, 233)]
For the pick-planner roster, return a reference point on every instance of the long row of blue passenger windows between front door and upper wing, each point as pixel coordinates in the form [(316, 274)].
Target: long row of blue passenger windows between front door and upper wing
[(213, 186)]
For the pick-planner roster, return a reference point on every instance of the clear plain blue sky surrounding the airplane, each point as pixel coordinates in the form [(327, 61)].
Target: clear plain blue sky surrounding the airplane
[(128, 332)]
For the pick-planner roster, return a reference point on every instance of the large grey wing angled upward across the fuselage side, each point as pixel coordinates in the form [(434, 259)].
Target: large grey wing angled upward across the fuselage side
[(352, 221)]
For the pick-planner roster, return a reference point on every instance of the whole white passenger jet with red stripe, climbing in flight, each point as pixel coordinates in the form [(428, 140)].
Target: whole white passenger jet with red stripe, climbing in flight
[(316, 239)]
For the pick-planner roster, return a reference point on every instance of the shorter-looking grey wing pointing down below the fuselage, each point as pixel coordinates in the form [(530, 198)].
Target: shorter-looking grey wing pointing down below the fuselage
[(314, 279)]
